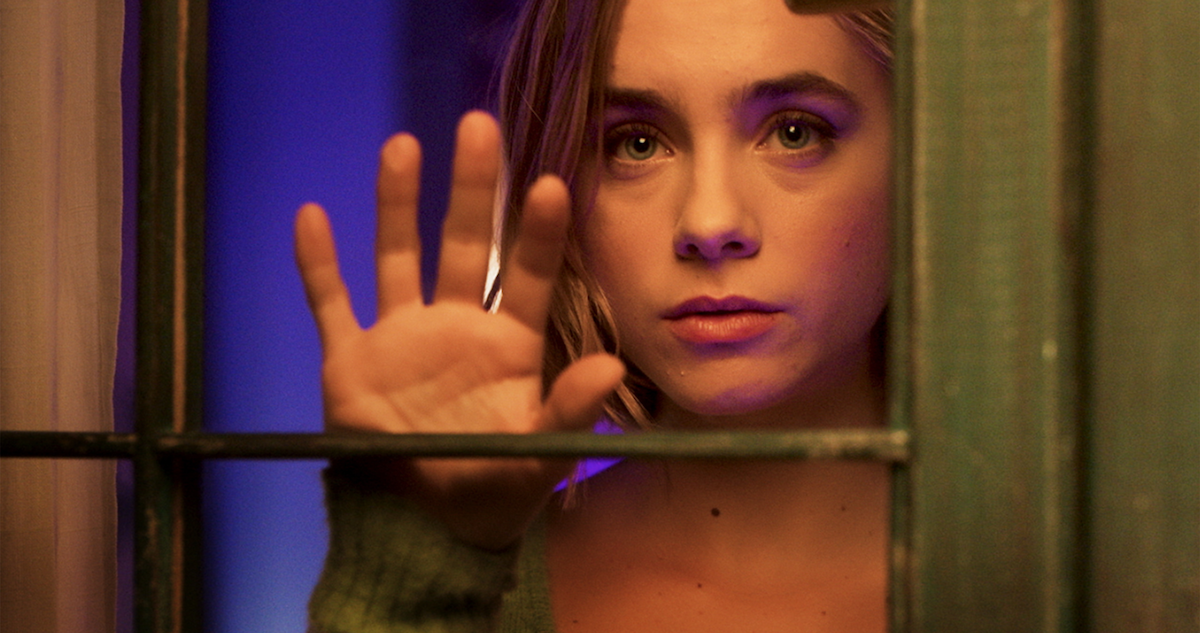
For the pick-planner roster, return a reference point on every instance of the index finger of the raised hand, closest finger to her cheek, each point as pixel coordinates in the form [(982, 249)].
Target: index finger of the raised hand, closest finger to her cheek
[(537, 256)]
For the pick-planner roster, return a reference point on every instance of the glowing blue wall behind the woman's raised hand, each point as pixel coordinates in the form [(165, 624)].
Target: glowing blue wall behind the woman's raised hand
[(302, 95)]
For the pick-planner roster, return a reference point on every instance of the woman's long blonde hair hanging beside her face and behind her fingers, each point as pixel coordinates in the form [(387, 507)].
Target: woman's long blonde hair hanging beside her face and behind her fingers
[(551, 107)]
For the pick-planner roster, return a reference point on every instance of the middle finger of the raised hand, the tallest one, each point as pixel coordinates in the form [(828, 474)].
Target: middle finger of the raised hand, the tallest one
[(467, 232)]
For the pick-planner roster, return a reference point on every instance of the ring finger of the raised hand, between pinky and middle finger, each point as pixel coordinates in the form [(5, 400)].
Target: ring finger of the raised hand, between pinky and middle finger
[(398, 243)]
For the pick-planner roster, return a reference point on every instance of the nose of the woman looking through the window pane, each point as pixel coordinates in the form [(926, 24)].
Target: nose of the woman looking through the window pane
[(716, 224)]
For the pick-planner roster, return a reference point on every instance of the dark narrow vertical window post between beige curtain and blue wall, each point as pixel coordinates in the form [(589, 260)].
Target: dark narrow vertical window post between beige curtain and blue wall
[(171, 202)]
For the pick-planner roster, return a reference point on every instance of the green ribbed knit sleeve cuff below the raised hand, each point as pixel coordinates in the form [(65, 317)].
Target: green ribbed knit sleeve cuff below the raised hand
[(392, 569)]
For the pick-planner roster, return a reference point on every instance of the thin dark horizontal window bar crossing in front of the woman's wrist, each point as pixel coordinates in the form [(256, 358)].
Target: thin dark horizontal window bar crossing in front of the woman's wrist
[(886, 445)]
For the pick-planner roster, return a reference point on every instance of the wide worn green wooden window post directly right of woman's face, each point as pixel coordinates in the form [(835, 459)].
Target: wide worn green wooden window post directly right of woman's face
[(993, 371)]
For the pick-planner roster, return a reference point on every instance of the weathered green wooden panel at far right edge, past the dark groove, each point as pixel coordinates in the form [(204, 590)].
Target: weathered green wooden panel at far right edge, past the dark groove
[(1144, 310)]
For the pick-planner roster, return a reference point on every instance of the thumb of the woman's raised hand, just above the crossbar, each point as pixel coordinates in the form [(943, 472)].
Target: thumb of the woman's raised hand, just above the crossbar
[(577, 399)]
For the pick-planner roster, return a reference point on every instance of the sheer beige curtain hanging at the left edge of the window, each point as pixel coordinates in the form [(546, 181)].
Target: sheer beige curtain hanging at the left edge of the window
[(61, 204)]
